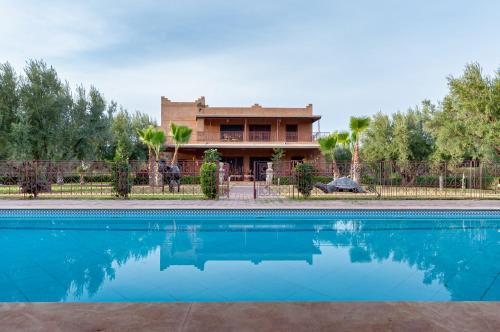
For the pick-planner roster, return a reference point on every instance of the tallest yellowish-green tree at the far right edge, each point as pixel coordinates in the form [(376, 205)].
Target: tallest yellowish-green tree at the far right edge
[(468, 124)]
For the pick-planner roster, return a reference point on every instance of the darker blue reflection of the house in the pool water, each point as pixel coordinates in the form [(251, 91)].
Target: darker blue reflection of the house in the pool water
[(197, 248)]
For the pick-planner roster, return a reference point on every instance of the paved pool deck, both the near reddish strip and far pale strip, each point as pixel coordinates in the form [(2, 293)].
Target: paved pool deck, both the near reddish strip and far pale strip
[(251, 316)]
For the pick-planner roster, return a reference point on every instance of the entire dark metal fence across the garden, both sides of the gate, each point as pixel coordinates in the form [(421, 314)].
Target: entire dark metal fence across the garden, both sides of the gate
[(139, 179)]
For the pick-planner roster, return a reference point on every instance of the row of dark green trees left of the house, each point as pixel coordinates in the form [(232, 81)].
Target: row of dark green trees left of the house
[(41, 118)]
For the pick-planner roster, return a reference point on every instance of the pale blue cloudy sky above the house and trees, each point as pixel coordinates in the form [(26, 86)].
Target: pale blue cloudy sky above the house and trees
[(345, 57)]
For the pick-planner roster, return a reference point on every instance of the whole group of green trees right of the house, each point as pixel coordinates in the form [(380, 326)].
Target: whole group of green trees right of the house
[(464, 126)]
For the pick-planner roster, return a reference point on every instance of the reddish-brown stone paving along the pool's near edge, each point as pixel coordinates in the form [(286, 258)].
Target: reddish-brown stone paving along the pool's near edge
[(252, 316)]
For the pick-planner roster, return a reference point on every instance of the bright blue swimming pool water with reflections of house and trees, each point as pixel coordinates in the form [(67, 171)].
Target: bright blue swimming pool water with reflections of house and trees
[(249, 255)]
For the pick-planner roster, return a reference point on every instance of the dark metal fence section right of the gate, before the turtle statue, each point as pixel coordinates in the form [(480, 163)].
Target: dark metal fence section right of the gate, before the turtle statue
[(390, 180)]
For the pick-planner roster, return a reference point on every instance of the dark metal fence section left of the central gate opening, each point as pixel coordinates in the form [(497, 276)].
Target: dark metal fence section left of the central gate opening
[(100, 179)]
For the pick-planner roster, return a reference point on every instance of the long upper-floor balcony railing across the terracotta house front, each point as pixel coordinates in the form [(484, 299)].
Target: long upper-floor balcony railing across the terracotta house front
[(255, 137)]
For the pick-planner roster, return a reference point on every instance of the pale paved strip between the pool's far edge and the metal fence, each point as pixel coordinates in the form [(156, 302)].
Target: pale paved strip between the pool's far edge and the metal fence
[(251, 204)]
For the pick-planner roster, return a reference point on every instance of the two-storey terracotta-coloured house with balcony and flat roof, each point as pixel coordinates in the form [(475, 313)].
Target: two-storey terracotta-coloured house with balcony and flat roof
[(243, 135)]
